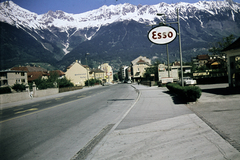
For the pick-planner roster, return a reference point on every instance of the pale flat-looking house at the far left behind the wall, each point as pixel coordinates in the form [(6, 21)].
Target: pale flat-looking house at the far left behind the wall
[(11, 77)]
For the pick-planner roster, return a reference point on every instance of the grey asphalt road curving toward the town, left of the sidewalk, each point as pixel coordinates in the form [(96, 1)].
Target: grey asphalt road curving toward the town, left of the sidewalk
[(59, 128)]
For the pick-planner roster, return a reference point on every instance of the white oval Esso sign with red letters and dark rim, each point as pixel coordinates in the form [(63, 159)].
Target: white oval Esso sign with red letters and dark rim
[(162, 35)]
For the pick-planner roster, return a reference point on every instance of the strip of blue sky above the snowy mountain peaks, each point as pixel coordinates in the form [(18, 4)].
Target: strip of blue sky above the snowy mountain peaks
[(80, 6)]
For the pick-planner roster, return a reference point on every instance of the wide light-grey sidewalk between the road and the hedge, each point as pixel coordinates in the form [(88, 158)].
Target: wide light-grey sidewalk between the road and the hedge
[(156, 128)]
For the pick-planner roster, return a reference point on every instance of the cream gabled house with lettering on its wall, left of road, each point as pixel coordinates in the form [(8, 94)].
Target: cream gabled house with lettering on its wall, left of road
[(77, 73)]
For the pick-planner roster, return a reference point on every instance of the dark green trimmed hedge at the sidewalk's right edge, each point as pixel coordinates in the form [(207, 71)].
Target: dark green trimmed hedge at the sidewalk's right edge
[(187, 93)]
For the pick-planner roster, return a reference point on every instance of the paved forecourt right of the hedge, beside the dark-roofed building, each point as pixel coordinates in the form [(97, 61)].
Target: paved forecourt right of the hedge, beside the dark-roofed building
[(220, 109)]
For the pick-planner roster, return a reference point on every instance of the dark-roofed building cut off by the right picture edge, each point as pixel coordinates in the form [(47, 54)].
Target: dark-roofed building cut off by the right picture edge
[(233, 52)]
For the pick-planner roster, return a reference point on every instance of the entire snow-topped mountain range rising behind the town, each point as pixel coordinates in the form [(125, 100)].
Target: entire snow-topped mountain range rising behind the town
[(116, 34)]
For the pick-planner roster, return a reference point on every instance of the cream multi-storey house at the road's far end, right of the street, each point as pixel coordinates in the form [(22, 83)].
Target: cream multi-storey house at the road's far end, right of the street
[(138, 67)]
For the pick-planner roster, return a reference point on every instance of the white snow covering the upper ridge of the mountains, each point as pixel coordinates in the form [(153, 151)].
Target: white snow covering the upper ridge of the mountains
[(14, 15)]
